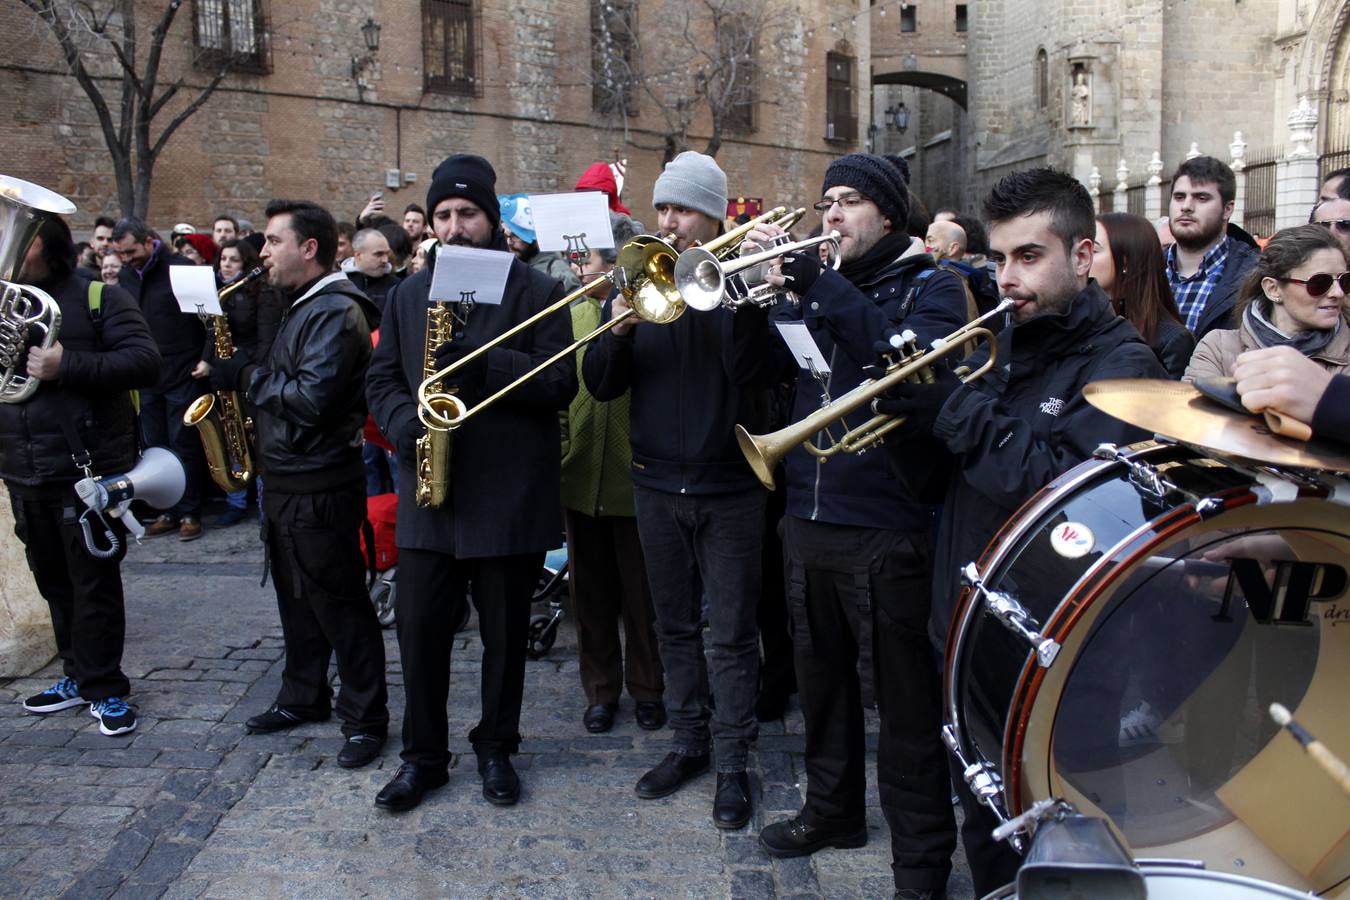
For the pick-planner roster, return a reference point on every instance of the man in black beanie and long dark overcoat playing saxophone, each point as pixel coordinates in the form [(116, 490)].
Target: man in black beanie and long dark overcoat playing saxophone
[(499, 509)]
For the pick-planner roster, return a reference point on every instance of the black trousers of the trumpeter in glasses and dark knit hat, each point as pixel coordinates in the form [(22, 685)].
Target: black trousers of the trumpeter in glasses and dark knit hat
[(851, 588)]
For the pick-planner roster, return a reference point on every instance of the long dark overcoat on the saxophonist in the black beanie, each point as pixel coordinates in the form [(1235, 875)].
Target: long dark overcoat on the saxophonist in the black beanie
[(506, 462)]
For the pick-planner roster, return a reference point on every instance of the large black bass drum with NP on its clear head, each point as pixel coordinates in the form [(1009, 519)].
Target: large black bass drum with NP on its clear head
[(1183, 594)]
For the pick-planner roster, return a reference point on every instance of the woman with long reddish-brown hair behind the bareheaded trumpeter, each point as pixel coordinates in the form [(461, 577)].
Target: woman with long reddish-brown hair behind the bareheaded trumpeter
[(1128, 264)]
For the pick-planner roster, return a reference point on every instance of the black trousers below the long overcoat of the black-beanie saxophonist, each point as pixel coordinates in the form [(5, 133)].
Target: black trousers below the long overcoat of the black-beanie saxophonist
[(430, 602)]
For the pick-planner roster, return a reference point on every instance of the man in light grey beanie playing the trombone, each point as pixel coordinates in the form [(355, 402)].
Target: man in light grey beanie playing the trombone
[(700, 509)]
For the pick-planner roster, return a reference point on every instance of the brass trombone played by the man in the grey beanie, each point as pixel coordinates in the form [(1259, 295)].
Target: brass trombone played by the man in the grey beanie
[(643, 272)]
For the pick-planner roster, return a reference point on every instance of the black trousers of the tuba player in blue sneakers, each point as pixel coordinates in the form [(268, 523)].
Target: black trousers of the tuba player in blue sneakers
[(83, 593)]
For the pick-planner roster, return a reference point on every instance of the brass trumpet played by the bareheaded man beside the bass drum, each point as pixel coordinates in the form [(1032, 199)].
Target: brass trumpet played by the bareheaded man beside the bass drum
[(765, 451)]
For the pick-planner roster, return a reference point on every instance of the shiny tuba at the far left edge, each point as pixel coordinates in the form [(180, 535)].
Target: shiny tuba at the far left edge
[(28, 316)]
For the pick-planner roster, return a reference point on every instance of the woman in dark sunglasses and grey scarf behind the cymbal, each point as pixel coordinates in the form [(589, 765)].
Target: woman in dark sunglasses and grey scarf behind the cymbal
[(1295, 298)]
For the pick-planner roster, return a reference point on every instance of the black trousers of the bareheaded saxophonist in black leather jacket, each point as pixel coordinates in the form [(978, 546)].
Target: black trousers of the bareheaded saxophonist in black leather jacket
[(321, 577)]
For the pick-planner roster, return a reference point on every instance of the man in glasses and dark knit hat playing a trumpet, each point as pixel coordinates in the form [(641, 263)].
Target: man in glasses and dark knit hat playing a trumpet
[(857, 539)]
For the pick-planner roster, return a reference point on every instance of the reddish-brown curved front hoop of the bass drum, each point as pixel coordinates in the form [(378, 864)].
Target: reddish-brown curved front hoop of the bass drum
[(1070, 613)]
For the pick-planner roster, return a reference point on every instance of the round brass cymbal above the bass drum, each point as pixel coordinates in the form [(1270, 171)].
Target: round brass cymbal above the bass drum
[(1181, 412)]
